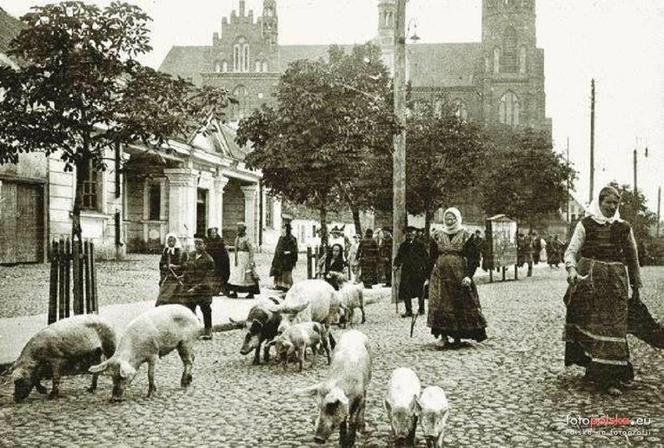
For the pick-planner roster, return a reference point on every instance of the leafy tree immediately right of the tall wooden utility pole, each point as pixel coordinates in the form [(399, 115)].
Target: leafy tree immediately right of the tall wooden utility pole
[(444, 157)]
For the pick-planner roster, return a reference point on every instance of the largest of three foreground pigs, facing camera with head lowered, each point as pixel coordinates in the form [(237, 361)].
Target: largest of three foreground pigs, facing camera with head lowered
[(342, 397)]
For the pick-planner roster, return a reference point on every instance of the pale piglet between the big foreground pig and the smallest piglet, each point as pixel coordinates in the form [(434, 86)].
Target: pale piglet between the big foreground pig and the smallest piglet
[(401, 404)]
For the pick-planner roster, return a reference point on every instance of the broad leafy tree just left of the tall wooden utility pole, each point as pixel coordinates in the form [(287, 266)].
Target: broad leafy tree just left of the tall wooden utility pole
[(320, 144)]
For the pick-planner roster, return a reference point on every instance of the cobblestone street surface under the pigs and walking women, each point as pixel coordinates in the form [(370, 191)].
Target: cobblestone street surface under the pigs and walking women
[(511, 390)]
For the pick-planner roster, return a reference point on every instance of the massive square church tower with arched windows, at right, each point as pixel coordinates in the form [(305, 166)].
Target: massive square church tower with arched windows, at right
[(513, 80)]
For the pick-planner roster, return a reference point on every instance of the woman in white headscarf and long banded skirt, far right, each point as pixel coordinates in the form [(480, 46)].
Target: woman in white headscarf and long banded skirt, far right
[(602, 262)]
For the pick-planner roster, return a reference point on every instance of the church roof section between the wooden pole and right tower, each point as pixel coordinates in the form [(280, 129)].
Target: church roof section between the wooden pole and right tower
[(444, 65)]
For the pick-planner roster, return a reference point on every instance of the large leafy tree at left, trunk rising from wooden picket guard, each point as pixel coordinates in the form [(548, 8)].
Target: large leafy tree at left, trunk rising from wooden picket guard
[(80, 90)]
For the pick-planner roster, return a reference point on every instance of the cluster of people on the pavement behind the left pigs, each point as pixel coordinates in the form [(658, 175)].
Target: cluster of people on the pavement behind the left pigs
[(192, 279)]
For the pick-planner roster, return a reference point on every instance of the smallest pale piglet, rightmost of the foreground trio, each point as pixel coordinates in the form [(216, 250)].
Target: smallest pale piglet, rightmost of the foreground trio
[(433, 410)]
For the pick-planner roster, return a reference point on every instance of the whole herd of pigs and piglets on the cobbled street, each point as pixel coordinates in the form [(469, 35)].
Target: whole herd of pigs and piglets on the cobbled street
[(299, 321)]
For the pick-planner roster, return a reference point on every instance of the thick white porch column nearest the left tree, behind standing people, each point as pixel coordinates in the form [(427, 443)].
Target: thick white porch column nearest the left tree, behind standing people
[(182, 198)]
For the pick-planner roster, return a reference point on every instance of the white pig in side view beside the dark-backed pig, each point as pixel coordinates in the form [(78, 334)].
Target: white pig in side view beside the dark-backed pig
[(148, 337)]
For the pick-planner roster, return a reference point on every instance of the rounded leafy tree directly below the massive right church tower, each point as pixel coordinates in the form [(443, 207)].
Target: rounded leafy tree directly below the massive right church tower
[(525, 179)]
